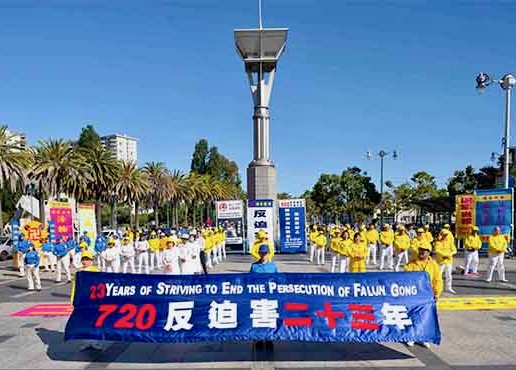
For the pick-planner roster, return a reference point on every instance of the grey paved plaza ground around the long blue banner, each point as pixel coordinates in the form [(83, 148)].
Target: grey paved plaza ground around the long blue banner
[(471, 339)]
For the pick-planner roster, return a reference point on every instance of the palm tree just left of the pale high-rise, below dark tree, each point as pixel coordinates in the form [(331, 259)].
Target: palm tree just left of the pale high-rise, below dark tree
[(104, 173)]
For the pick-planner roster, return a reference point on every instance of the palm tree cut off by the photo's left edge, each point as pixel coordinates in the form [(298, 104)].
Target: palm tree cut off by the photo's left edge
[(14, 161)]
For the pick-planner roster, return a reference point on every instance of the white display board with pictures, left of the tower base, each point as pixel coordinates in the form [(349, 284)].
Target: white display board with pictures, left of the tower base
[(230, 215)]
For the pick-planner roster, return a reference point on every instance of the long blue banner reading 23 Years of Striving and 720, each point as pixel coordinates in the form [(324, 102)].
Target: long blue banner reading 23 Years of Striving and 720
[(360, 307)]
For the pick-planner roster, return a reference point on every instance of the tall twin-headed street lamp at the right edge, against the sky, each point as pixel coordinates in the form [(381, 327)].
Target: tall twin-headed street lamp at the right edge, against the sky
[(483, 80)]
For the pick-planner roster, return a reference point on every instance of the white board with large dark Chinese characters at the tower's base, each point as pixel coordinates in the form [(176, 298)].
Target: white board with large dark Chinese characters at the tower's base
[(260, 216)]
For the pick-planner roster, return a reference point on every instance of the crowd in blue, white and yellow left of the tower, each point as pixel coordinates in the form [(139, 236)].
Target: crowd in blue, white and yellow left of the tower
[(184, 252)]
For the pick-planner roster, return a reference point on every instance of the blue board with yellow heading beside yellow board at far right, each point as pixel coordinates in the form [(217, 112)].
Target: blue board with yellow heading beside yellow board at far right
[(494, 208)]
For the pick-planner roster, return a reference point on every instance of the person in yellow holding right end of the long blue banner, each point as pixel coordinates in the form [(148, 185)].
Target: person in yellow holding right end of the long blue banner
[(424, 262)]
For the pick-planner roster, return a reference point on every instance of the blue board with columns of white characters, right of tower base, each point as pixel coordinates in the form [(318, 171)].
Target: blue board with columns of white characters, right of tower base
[(292, 229)]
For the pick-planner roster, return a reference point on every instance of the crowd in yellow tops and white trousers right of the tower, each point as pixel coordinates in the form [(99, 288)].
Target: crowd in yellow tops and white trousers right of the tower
[(355, 249)]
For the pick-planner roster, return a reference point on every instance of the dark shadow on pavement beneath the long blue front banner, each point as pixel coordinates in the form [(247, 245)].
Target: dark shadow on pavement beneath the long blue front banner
[(59, 350)]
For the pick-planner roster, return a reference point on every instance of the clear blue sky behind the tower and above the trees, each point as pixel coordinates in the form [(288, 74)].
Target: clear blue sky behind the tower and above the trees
[(356, 76)]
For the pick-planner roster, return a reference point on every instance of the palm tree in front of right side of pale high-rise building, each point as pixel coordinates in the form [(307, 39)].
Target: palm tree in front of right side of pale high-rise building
[(132, 187)]
